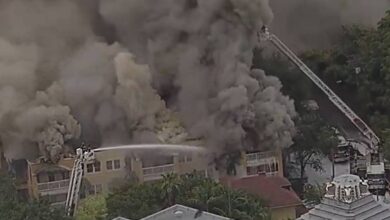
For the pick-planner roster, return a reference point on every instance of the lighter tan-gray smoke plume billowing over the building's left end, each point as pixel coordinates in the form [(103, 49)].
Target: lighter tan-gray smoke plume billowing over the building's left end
[(56, 74)]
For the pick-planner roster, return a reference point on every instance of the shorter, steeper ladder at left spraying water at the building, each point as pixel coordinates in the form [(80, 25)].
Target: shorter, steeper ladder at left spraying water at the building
[(83, 156)]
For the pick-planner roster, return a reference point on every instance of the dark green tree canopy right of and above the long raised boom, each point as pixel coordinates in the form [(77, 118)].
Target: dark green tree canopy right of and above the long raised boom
[(359, 69)]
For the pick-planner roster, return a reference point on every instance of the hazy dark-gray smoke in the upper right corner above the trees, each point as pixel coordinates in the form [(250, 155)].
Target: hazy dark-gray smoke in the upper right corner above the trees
[(308, 24)]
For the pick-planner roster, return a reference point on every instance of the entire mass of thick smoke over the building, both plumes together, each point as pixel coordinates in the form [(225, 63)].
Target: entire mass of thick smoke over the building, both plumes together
[(62, 79)]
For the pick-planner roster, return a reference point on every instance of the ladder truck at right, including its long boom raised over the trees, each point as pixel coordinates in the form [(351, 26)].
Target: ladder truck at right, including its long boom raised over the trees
[(373, 162)]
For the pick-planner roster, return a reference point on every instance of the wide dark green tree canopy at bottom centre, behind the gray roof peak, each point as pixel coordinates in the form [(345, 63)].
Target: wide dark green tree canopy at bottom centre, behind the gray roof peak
[(136, 201)]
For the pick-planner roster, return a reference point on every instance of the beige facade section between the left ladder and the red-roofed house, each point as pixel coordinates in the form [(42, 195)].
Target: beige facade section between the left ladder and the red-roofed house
[(114, 167)]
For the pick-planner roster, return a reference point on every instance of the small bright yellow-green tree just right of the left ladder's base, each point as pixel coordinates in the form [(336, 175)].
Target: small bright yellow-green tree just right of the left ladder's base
[(92, 208)]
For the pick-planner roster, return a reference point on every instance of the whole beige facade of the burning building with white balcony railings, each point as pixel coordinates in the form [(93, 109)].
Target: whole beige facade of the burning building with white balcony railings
[(112, 168)]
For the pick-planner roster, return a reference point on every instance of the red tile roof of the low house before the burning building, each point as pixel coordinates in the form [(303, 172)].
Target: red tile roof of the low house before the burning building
[(273, 189)]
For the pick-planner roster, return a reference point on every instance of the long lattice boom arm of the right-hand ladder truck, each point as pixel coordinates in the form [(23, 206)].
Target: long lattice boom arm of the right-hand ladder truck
[(336, 100)]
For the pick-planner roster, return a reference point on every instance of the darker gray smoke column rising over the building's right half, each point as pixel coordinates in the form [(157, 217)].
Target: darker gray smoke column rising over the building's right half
[(203, 50)]
